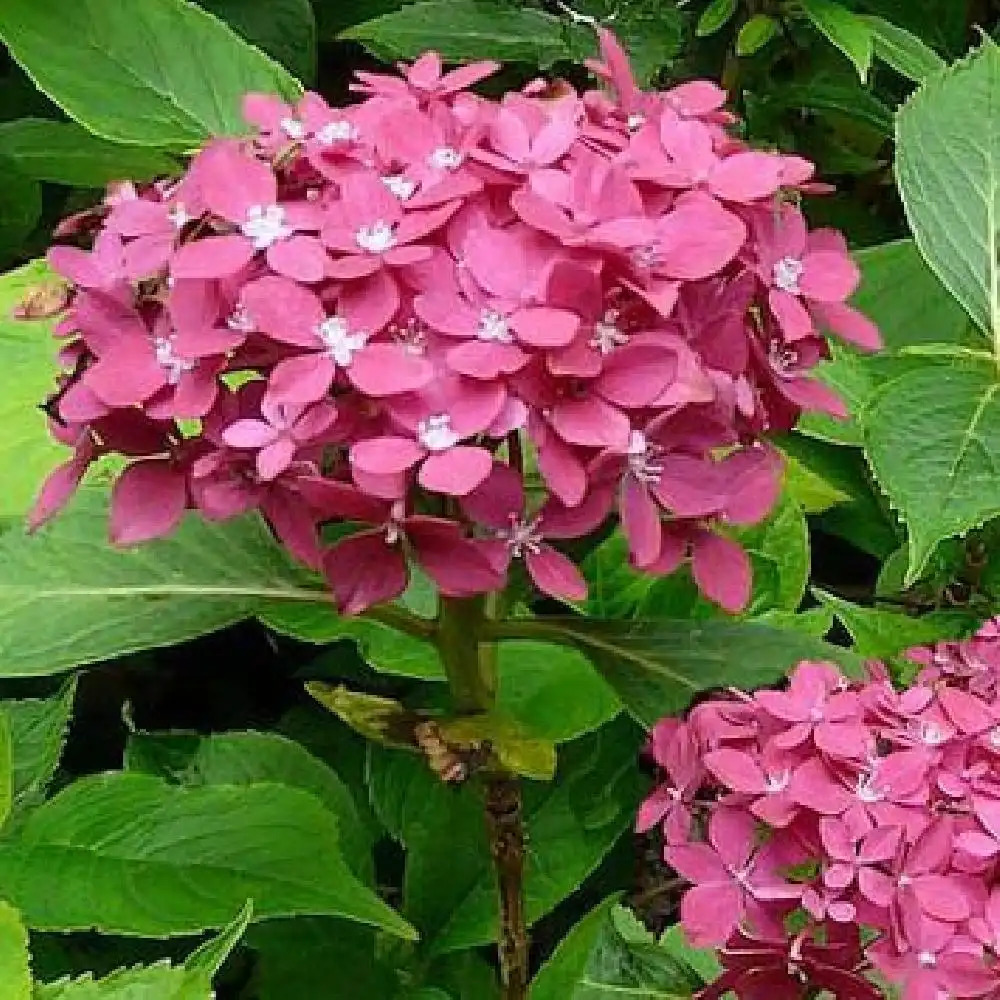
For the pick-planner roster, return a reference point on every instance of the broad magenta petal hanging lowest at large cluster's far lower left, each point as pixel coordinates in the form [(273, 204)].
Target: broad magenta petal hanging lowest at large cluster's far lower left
[(148, 501)]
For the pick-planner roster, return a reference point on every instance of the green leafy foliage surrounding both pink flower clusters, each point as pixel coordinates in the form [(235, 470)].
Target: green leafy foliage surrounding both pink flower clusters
[(193, 710)]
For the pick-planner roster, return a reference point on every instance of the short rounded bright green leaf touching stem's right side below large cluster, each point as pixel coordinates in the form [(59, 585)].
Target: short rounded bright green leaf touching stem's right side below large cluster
[(554, 693)]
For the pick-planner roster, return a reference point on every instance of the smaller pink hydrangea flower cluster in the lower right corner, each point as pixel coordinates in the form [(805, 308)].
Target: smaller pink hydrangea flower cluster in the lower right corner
[(838, 832)]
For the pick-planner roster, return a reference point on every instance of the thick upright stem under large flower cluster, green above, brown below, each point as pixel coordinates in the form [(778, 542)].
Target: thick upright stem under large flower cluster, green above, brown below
[(470, 664)]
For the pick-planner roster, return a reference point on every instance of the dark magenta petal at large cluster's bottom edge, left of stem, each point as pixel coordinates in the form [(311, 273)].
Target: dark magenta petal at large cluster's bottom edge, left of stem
[(364, 570)]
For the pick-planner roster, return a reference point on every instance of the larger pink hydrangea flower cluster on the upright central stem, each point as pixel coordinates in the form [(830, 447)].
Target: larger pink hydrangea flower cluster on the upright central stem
[(471, 327)]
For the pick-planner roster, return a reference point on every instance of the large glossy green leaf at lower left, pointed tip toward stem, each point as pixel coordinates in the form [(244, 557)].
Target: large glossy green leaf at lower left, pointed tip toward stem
[(161, 860)]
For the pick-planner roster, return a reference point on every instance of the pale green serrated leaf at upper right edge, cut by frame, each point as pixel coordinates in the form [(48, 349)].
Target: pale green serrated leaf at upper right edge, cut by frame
[(948, 171)]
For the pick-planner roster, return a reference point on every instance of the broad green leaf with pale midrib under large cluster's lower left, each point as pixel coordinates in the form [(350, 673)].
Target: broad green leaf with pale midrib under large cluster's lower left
[(108, 601)]
